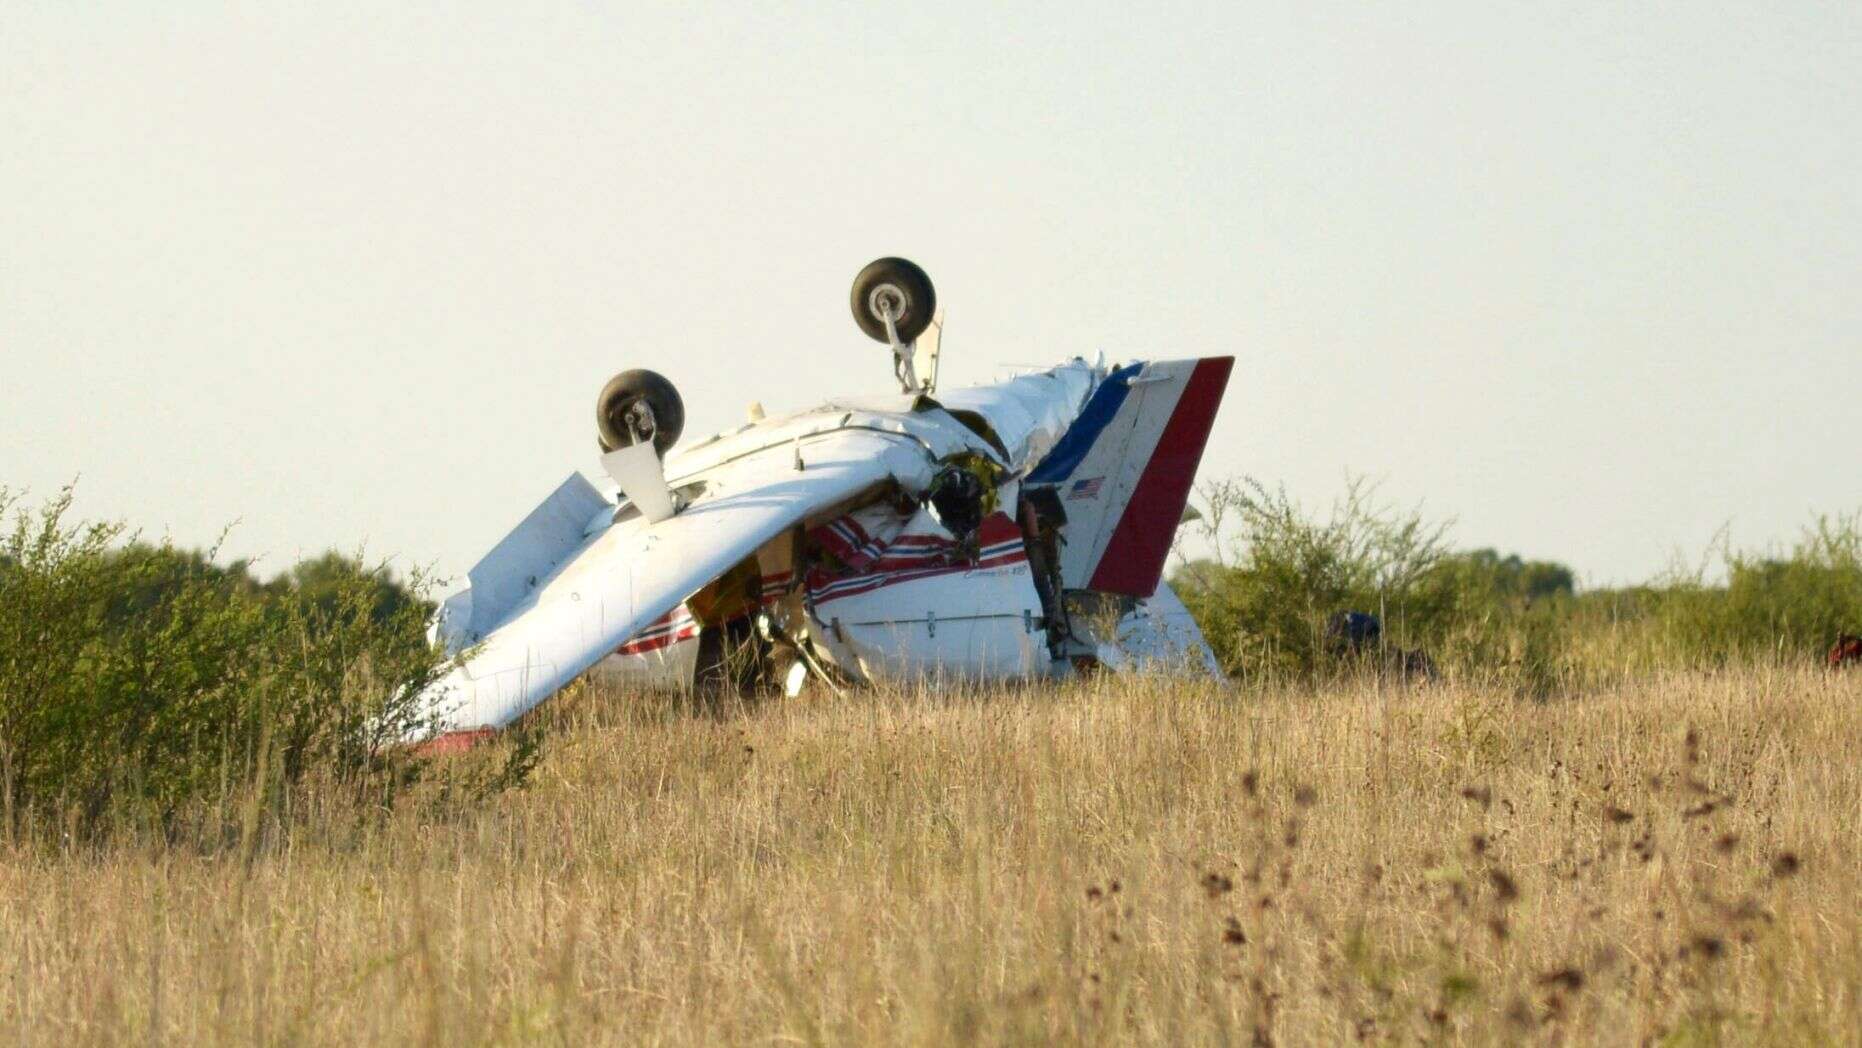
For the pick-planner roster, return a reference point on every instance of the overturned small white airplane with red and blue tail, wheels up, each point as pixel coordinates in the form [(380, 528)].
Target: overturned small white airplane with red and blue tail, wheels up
[(993, 533)]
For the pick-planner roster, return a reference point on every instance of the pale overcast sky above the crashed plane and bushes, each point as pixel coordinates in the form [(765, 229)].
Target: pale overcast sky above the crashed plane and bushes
[(1585, 278)]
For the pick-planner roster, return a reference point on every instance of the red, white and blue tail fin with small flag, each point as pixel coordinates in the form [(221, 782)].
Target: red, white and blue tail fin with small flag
[(1126, 468)]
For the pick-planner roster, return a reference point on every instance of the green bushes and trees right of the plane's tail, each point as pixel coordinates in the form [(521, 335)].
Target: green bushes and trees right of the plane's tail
[(1278, 574)]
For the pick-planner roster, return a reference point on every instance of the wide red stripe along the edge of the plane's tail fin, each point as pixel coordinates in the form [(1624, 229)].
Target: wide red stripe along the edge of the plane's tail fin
[(1140, 544)]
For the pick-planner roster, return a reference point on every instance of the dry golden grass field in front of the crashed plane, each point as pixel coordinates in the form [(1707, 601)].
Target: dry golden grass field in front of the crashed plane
[(1669, 863)]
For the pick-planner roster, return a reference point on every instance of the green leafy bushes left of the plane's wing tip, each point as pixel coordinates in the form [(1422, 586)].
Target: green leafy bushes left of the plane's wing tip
[(146, 686)]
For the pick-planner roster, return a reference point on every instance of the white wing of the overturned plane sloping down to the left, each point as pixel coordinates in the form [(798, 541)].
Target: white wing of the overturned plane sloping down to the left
[(627, 574)]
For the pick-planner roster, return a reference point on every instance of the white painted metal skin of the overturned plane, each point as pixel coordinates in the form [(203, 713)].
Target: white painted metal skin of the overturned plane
[(589, 572)]
